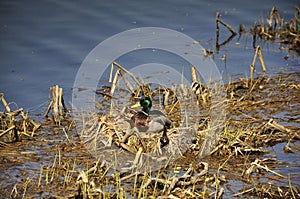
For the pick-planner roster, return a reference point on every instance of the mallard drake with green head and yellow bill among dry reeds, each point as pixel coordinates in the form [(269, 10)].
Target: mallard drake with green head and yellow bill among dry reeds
[(147, 121)]
